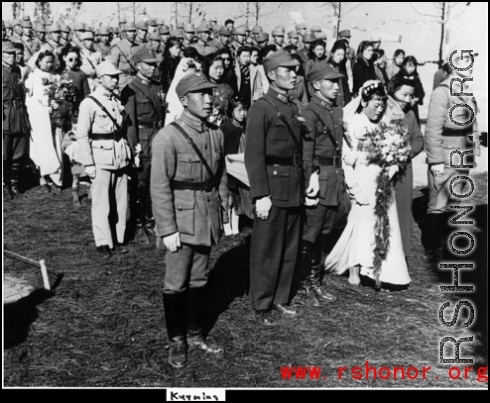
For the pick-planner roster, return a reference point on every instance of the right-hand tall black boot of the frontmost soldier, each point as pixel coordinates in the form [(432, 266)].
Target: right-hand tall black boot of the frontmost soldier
[(196, 304)]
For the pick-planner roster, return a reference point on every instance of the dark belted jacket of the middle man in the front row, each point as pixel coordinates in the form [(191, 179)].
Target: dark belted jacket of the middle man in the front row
[(267, 136)]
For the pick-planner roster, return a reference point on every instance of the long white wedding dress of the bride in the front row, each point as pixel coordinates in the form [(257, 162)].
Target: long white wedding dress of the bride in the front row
[(357, 242)]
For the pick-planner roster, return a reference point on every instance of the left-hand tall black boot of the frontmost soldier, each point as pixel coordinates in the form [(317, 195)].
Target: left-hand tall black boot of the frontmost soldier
[(175, 318)]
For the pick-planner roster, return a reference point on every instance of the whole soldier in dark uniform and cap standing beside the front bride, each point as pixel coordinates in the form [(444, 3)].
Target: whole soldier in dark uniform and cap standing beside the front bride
[(322, 153)]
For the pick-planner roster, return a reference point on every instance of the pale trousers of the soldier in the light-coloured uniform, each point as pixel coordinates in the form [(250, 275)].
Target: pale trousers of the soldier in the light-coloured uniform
[(109, 206)]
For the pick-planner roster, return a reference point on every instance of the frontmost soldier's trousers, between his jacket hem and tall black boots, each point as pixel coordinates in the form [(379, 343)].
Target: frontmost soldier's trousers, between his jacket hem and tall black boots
[(188, 267)]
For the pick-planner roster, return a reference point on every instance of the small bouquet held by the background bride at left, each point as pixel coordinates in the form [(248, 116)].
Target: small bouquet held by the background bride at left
[(62, 97)]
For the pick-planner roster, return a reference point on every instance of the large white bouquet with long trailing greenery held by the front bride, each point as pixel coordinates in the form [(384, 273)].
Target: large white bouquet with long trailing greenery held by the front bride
[(389, 147)]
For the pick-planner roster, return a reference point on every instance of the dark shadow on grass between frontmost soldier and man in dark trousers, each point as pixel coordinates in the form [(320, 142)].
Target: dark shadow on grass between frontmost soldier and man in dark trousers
[(229, 279)]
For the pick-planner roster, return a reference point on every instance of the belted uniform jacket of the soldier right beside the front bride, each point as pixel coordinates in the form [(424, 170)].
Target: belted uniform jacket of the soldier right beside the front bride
[(318, 144)]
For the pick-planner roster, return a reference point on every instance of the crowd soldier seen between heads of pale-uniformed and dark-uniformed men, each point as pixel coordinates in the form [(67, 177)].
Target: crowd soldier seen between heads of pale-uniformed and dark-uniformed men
[(122, 53)]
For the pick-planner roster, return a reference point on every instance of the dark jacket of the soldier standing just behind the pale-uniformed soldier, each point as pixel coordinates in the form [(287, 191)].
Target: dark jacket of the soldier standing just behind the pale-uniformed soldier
[(142, 101)]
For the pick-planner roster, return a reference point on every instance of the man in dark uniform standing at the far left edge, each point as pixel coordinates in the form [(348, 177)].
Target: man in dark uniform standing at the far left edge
[(16, 128)]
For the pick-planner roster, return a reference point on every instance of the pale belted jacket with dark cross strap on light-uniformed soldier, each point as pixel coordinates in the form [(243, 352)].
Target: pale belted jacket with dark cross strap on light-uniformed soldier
[(104, 154)]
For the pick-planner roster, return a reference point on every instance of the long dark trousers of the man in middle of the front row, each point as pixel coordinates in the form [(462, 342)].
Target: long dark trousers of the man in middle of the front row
[(273, 256)]
